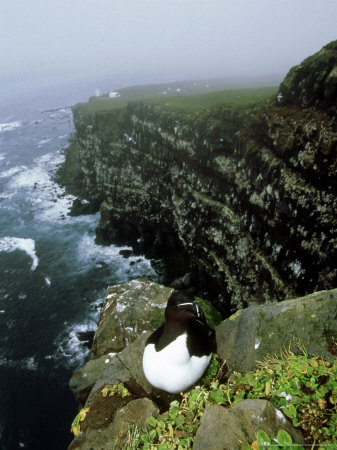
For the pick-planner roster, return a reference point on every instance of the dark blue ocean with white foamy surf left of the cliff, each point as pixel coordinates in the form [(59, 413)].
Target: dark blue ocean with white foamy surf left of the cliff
[(53, 276)]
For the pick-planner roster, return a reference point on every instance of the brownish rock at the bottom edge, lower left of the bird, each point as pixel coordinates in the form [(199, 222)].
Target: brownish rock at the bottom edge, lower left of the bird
[(115, 434)]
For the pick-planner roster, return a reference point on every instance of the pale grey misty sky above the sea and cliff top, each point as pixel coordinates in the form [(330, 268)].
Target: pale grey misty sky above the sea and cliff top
[(160, 39)]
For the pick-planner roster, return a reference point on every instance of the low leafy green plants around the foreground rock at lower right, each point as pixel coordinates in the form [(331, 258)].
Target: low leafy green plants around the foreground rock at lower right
[(304, 388)]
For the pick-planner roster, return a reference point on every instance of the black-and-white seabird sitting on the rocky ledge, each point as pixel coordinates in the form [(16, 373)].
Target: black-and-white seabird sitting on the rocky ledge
[(177, 354)]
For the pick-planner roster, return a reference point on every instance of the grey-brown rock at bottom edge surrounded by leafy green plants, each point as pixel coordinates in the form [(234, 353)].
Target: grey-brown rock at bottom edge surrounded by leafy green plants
[(226, 428)]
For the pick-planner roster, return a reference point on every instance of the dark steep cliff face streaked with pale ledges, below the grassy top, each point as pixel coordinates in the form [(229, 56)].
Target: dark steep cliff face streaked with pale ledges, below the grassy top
[(245, 198)]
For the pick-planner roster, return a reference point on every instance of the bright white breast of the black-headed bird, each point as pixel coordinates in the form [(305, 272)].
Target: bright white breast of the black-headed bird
[(173, 369)]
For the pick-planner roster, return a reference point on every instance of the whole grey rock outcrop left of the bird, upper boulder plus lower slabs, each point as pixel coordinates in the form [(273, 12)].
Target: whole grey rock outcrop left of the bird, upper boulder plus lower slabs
[(129, 311)]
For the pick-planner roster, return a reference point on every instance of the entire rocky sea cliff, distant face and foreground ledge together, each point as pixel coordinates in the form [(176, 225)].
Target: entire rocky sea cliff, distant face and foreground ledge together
[(240, 202)]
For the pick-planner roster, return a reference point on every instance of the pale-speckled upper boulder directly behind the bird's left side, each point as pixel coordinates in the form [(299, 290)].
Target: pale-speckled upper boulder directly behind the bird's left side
[(128, 310)]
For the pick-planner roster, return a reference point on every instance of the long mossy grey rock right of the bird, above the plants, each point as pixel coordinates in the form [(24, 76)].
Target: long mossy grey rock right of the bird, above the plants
[(257, 331)]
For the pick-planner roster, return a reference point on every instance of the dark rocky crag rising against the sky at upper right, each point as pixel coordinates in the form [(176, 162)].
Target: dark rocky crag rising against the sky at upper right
[(314, 81)]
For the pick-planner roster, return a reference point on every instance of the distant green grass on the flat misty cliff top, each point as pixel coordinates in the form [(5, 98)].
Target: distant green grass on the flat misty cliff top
[(188, 101)]
